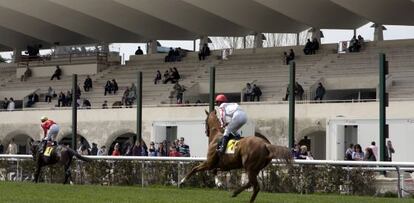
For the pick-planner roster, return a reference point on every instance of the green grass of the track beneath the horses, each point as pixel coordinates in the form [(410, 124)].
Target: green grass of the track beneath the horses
[(29, 192)]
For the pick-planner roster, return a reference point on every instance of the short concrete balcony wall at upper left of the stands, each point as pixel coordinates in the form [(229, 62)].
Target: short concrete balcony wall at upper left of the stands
[(47, 71)]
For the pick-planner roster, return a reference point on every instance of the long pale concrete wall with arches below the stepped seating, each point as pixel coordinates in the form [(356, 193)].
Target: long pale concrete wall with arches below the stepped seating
[(103, 126)]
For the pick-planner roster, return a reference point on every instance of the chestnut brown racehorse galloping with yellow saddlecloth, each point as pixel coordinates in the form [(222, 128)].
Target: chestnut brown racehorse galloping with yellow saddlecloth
[(252, 154)]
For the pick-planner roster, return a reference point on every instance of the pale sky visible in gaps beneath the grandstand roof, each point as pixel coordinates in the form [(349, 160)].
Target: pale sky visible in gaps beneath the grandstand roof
[(330, 36)]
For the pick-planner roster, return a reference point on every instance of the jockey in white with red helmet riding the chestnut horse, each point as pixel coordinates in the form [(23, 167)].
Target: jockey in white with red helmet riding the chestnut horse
[(231, 117)]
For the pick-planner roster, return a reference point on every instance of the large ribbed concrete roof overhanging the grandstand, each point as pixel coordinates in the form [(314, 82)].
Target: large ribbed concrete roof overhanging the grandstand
[(68, 22)]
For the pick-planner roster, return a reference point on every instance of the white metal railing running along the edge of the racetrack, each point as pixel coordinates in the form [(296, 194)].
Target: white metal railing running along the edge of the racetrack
[(347, 165)]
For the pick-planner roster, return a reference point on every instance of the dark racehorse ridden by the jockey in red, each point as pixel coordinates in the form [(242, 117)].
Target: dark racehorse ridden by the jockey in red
[(58, 154)]
